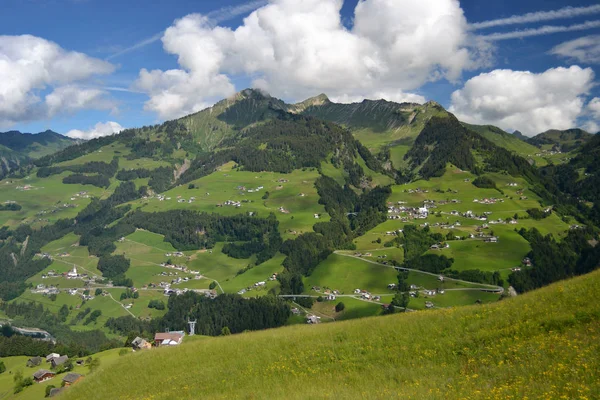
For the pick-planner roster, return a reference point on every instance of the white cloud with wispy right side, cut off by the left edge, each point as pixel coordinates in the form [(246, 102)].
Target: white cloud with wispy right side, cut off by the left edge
[(29, 65)]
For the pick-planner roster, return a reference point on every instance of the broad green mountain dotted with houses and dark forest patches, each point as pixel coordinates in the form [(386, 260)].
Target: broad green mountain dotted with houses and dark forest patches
[(257, 199)]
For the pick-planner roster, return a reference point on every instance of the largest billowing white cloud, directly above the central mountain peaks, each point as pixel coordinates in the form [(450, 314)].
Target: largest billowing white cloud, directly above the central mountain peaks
[(295, 49)]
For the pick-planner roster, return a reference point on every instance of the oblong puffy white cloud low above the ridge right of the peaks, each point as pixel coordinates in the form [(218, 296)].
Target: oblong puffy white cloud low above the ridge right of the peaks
[(526, 101)]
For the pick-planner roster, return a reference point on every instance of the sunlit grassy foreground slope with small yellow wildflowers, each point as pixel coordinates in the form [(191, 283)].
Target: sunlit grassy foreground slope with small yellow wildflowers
[(539, 345)]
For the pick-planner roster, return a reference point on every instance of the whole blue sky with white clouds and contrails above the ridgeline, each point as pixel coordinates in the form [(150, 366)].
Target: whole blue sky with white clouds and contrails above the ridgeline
[(89, 68)]
